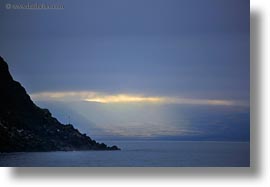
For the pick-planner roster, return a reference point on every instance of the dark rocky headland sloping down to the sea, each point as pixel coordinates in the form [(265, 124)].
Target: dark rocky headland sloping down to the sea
[(26, 127)]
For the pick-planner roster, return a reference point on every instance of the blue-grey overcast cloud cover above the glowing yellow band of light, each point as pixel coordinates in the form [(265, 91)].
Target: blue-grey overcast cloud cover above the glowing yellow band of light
[(156, 48)]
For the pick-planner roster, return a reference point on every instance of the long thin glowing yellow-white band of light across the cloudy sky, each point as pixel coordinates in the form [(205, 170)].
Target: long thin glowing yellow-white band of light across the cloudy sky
[(104, 98)]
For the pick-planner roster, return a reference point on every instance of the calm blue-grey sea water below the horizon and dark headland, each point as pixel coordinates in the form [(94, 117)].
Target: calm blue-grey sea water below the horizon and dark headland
[(141, 154)]
